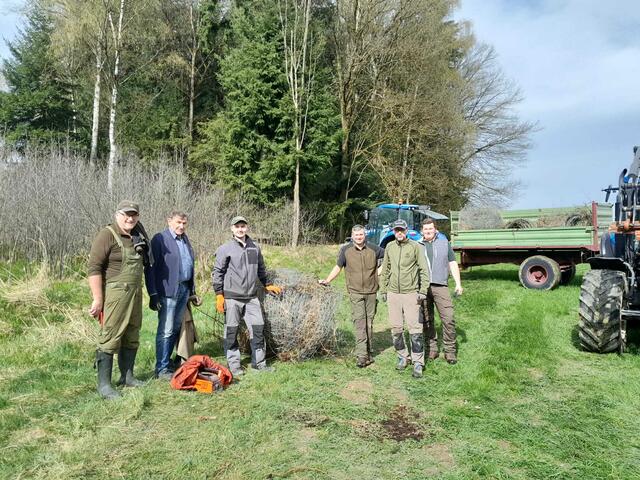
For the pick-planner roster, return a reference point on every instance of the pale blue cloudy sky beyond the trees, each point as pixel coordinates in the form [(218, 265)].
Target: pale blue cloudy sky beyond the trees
[(577, 63)]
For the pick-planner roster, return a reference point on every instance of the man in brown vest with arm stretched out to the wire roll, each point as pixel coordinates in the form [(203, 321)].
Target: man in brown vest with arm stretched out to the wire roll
[(360, 261)]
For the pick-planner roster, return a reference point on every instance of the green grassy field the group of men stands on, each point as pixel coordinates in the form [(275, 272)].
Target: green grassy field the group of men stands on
[(523, 402)]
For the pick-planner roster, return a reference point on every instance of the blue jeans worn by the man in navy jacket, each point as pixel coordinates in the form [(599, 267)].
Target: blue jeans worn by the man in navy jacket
[(169, 323)]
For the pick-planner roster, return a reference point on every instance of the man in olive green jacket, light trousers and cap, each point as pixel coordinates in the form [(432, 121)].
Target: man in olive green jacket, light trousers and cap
[(404, 282)]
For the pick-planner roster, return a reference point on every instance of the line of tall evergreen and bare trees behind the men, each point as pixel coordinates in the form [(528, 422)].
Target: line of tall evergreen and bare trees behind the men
[(333, 104)]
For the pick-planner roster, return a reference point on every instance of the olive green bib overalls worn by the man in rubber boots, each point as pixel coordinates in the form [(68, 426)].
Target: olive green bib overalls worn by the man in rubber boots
[(123, 305)]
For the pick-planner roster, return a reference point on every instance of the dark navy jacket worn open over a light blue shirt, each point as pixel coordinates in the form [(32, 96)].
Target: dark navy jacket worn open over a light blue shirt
[(164, 274)]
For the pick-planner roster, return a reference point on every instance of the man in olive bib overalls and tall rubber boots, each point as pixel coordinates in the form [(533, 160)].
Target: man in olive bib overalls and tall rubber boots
[(116, 266)]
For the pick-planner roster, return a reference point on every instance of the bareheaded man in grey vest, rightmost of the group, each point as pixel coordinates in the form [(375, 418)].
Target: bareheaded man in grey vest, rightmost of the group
[(441, 261)]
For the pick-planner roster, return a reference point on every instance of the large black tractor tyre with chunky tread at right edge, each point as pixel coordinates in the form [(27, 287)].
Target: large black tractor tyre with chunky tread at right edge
[(601, 300)]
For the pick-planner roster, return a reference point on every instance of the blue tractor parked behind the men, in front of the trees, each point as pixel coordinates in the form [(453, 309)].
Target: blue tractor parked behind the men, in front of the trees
[(380, 218)]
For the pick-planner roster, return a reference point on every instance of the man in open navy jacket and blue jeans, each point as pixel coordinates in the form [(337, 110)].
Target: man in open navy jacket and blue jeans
[(170, 284)]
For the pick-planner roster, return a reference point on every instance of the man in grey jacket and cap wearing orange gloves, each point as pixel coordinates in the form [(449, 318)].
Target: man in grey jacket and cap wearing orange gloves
[(239, 264)]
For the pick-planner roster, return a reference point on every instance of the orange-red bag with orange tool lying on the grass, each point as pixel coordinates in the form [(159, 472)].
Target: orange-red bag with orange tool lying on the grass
[(203, 374)]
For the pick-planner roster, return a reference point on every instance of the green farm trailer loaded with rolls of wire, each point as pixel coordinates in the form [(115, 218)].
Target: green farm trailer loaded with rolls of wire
[(547, 255)]
